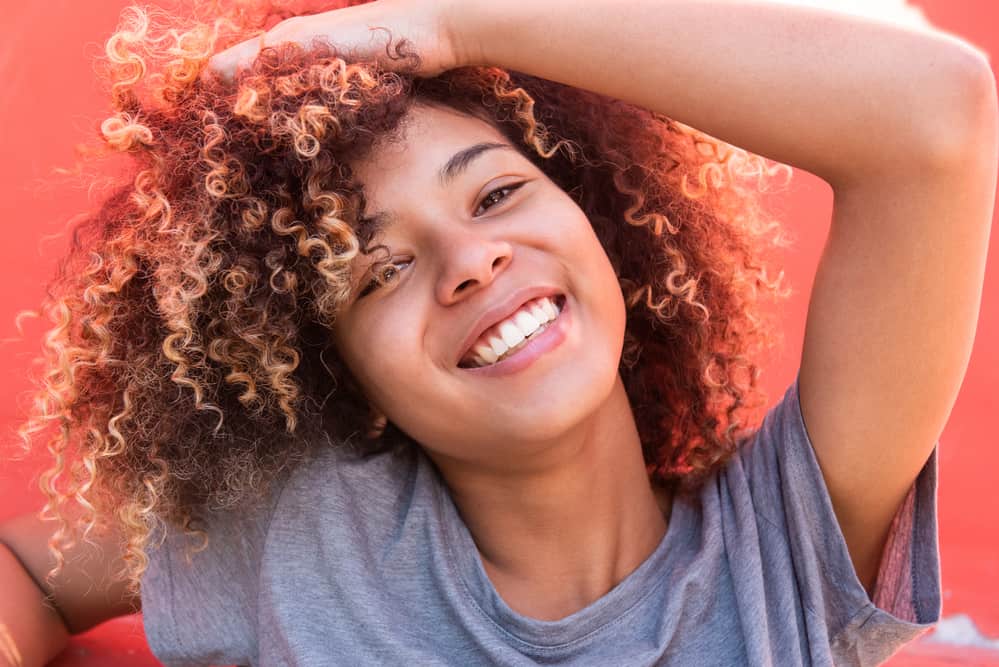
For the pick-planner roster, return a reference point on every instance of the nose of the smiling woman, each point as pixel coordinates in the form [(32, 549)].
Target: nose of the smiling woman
[(470, 261)]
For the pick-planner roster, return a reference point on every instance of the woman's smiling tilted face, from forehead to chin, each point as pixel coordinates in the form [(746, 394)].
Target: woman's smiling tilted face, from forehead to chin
[(461, 252)]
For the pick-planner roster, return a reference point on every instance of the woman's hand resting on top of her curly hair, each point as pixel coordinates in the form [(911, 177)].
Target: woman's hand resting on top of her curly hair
[(363, 32)]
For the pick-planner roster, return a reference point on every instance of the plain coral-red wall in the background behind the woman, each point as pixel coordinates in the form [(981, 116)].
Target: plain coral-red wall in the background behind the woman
[(48, 102)]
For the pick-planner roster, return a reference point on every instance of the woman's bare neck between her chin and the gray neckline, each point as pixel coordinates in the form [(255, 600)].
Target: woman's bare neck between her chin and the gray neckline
[(555, 539)]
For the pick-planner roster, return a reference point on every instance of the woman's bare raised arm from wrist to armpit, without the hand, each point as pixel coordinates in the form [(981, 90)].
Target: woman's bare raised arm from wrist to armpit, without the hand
[(903, 125)]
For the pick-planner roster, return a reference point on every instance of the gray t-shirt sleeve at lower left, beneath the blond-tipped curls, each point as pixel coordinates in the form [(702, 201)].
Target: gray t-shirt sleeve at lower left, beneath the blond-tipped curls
[(204, 612)]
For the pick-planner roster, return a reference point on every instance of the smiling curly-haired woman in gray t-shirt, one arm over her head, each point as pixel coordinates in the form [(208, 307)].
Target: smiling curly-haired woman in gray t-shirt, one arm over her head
[(448, 356)]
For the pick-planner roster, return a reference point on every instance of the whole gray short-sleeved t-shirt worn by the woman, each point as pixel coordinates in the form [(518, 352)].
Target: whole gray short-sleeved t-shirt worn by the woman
[(368, 563)]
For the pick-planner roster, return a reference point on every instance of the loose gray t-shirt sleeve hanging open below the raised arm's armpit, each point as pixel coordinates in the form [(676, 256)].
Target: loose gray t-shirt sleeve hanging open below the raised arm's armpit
[(790, 499)]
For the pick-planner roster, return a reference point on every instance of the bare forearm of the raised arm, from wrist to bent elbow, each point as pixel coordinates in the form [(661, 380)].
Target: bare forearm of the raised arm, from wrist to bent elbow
[(833, 94)]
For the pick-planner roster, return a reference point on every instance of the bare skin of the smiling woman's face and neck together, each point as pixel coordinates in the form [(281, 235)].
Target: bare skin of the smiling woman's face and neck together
[(544, 465)]
